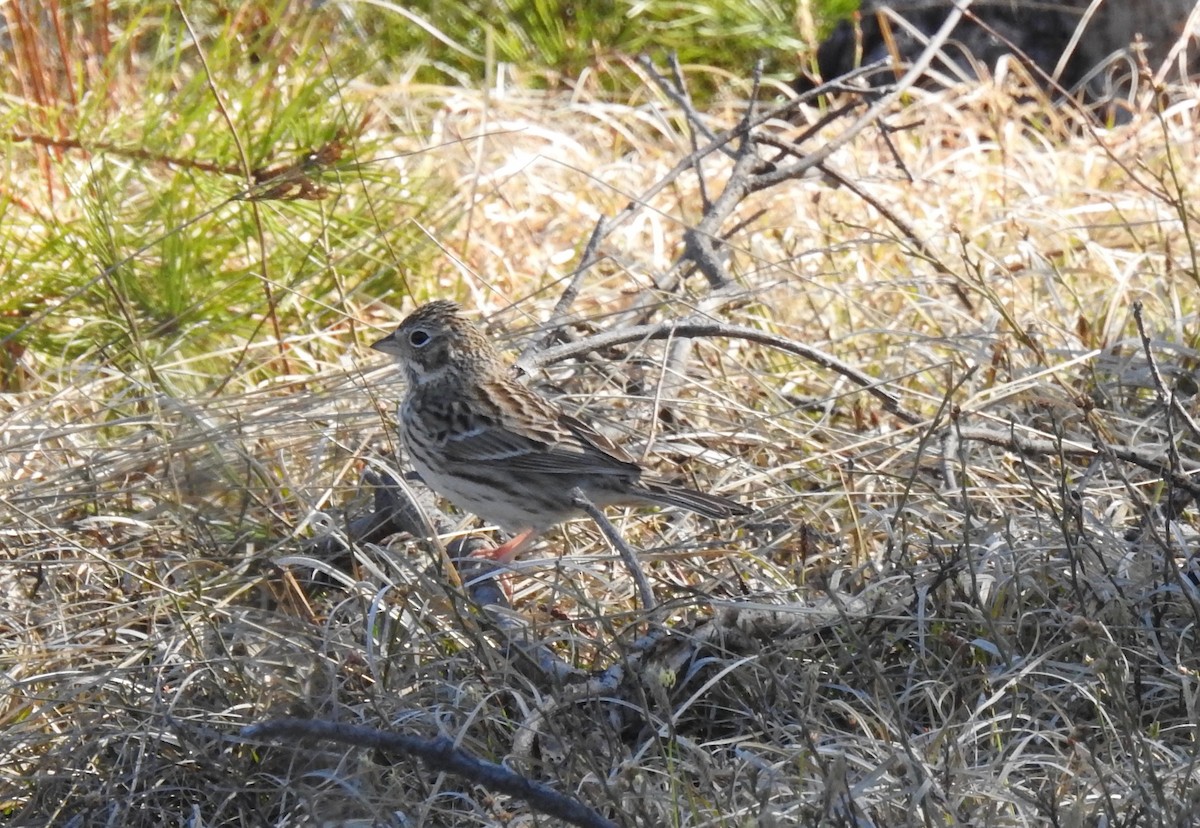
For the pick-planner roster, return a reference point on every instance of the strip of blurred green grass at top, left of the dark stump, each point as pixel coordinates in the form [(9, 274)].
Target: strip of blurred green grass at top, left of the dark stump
[(555, 43)]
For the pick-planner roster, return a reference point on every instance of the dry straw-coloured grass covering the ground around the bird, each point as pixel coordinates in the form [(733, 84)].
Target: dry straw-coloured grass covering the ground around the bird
[(976, 637)]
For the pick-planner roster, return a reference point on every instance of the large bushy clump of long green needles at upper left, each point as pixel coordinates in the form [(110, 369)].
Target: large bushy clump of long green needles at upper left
[(139, 241)]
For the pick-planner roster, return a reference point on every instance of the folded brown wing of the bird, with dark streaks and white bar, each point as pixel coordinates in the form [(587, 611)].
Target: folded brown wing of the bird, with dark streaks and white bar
[(521, 431)]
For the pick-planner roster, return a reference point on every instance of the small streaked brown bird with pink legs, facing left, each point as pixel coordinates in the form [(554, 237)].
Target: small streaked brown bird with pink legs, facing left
[(497, 449)]
